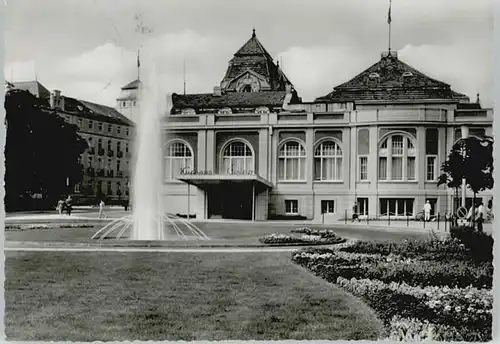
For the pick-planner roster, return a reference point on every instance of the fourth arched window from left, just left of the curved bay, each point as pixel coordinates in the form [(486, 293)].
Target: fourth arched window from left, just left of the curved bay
[(328, 161)]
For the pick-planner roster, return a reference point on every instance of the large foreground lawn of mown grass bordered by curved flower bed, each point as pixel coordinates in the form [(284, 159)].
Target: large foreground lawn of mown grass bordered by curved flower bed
[(175, 296)]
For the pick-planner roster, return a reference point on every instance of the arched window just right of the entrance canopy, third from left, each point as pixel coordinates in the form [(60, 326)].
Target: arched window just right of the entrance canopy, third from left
[(292, 161)]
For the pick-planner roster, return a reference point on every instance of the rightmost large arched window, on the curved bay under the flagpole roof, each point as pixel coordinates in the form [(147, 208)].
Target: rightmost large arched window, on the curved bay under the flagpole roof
[(397, 158)]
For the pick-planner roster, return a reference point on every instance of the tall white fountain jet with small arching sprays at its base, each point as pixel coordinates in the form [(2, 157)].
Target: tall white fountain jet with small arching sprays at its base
[(149, 220)]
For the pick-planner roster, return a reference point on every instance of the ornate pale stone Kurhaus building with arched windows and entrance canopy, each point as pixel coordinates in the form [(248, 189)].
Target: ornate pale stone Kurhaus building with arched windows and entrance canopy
[(252, 149)]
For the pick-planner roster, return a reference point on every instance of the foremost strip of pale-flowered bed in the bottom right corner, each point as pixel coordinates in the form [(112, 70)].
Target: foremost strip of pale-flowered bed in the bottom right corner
[(466, 310)]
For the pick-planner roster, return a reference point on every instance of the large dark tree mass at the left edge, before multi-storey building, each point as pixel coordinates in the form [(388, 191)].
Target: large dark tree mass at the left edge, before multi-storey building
[(41, 152)]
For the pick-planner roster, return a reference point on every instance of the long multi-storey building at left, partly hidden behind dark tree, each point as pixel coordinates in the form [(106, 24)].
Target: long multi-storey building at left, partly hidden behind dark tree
[(107, 162)]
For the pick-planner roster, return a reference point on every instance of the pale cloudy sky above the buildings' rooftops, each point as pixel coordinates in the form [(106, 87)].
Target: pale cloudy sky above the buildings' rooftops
[(87, 48)]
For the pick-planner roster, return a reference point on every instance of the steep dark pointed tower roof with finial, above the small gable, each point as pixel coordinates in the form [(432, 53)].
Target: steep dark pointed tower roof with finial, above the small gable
[(253, 56)]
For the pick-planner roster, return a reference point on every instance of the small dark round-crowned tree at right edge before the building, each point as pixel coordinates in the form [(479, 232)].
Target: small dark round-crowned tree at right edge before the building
[(470, 159)]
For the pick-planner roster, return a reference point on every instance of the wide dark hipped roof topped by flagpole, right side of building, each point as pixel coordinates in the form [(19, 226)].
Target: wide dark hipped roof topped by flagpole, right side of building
[(391, 79)]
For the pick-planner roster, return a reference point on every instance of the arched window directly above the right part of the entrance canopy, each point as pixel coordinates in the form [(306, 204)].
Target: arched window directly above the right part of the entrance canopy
[(237, 157)]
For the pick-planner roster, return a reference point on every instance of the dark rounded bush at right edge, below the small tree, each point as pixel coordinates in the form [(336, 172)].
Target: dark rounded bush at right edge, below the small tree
[(478, 244)]
